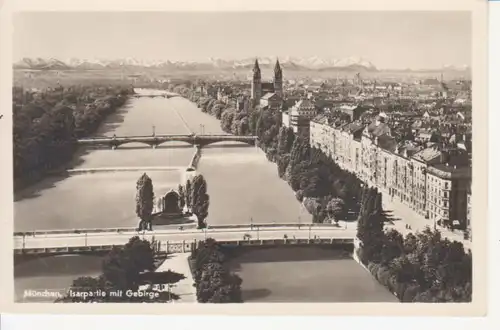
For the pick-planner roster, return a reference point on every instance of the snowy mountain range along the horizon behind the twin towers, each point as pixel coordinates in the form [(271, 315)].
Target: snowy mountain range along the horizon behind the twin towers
[(290, 63)]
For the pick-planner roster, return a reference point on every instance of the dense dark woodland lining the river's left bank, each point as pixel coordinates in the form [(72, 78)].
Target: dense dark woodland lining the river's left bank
[(47, 123)]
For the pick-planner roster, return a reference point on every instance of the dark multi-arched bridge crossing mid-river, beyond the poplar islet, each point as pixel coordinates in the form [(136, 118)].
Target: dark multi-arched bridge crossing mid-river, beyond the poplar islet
[(156, 140)]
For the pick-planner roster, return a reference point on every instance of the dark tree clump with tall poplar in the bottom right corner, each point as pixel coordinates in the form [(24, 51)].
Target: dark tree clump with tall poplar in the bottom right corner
[(420, 267)]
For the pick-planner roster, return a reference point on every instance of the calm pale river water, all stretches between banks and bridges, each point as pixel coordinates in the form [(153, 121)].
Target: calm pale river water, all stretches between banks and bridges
[(242, 185)]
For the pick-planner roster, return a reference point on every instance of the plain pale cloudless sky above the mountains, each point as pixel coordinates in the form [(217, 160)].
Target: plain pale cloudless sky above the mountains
[(396, 40)]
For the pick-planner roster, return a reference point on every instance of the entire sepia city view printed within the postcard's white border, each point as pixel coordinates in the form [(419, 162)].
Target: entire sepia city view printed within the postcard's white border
[(242, 157)]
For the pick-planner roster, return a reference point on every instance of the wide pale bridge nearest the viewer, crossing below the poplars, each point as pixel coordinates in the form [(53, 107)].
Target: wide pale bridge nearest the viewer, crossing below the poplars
[(94, 241)]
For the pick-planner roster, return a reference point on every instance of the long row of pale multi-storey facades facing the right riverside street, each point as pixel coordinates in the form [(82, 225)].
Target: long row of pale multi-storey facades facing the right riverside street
[(433, 181)]
